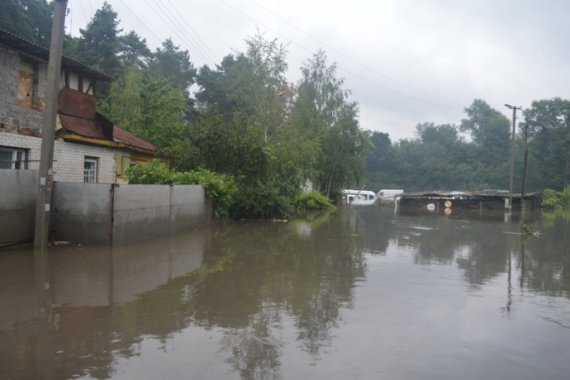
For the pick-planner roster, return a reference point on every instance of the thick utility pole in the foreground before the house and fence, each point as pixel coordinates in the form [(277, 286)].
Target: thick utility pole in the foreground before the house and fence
[(43, 202)]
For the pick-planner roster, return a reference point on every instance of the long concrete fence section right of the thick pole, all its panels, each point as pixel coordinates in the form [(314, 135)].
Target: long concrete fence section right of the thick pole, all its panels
[(120, 214)]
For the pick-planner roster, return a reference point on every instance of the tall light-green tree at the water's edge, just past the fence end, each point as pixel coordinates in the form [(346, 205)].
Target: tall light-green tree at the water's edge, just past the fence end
[(245, 130)]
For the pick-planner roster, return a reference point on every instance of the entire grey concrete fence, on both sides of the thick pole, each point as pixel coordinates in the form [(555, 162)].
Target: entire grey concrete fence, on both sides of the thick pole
[(100, 214)]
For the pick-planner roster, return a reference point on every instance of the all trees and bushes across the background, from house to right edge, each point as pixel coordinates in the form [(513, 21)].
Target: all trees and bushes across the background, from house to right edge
[(241, 121)]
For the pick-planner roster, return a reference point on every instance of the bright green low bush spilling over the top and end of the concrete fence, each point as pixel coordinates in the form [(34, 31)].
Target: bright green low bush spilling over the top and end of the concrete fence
[(221, 188)]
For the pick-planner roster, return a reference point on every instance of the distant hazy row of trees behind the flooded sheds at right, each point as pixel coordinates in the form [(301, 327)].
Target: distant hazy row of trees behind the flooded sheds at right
[(474, 154)]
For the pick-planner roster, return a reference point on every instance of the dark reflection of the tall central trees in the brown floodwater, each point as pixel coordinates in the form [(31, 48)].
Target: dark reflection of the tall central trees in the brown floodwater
[(251, 288)]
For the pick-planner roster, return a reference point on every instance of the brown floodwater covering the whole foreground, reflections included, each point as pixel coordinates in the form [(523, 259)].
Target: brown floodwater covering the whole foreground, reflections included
[(365, 294)]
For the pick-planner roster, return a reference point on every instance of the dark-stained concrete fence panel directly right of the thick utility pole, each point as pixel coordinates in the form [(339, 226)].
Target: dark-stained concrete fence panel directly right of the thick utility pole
[(82, 212)]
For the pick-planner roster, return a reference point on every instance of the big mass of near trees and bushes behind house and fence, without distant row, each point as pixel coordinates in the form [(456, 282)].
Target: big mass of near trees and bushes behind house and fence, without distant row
[(242, 120)]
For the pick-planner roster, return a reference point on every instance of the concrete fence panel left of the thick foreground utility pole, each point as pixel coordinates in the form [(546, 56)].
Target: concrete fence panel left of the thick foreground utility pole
[(18, 189)]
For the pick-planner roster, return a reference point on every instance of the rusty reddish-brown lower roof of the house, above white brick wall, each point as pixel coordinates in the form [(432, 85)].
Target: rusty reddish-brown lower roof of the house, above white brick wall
[(103, 130)]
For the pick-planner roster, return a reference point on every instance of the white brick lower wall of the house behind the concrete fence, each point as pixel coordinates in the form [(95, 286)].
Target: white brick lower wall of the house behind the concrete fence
[(68, 157)]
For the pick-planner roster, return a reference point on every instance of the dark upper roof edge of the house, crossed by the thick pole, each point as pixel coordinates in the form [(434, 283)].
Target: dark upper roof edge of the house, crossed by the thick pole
[(35, 50)]
